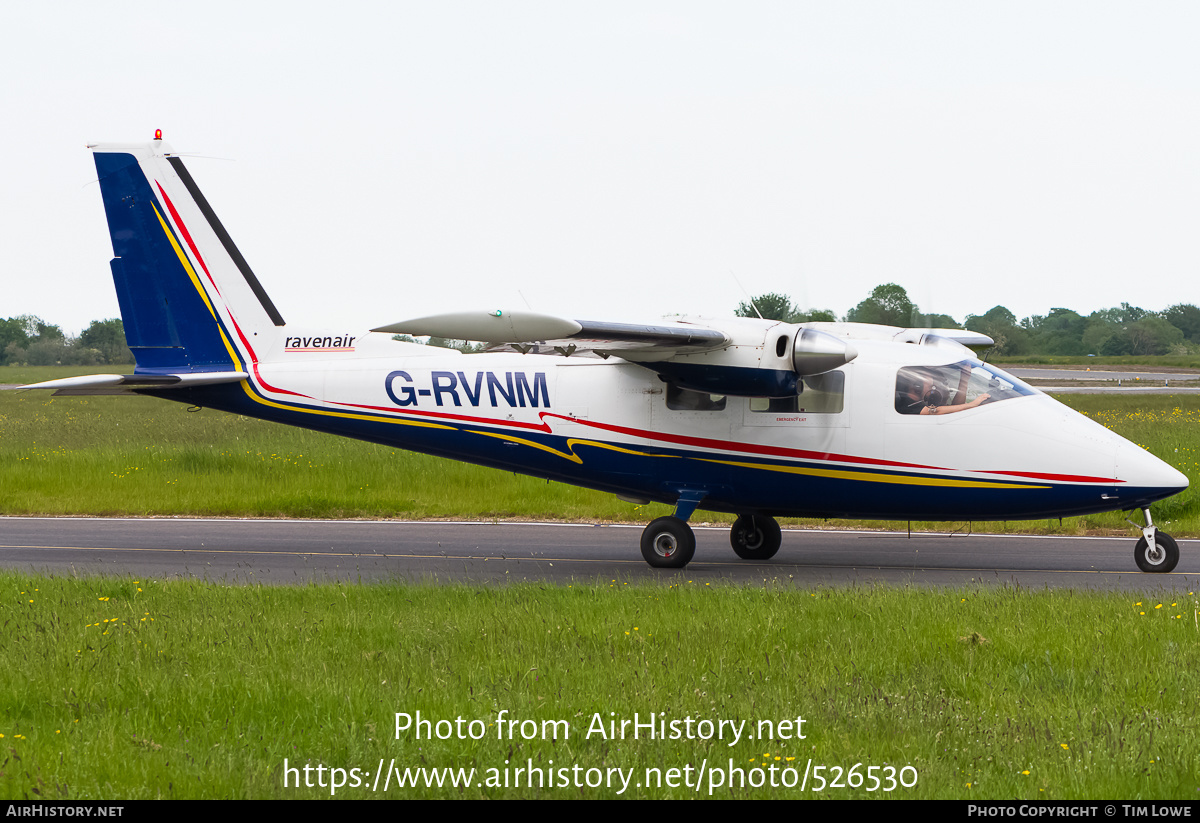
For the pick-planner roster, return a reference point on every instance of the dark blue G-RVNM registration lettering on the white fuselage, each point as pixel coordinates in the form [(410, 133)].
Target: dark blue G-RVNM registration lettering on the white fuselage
[(495, 389)]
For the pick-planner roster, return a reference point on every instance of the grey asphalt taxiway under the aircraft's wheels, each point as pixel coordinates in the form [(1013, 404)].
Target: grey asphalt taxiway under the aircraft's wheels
[(273, 552)]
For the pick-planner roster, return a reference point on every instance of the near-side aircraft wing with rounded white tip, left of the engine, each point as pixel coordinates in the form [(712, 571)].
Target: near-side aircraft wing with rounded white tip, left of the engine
[(529, 331)]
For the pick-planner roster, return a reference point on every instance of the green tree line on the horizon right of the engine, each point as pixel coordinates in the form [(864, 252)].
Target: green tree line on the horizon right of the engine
[(1124, 331)]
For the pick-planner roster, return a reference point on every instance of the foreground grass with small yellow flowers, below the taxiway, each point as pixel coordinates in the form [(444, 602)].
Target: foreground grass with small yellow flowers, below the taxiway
[(143, 689)]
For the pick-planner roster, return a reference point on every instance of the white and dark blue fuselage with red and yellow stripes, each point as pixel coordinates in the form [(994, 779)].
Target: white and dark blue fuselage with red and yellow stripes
[(614, 425)]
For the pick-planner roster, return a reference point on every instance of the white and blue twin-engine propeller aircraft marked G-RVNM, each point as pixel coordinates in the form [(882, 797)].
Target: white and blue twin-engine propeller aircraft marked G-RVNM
[(755, 418)]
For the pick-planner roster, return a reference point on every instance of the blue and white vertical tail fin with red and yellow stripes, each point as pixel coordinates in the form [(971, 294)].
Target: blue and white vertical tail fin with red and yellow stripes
[(189, 301)]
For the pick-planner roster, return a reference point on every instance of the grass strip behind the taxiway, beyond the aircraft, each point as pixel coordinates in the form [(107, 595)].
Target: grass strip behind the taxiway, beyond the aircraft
[(146, 456)]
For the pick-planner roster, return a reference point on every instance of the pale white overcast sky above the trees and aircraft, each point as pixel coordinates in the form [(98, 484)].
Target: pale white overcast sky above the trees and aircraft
[(377, 161)]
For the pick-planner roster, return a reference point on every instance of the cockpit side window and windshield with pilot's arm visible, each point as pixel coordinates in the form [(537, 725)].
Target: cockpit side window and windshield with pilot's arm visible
[(955, 388)]
